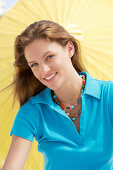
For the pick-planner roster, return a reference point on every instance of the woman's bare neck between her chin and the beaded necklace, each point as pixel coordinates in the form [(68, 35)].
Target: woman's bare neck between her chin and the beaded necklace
[(70, 93)]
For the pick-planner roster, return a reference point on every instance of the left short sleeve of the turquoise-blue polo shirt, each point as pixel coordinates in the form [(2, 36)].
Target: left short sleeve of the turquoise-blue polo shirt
[(26, 123)]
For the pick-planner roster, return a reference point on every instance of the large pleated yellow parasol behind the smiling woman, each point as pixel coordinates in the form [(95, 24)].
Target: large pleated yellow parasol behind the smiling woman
[(91, 22)]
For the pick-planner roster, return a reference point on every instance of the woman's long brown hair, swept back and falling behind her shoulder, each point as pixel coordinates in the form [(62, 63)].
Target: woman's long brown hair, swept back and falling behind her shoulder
[(25, 84)]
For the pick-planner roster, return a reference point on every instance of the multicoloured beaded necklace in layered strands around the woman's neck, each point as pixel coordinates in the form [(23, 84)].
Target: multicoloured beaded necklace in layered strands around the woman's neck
[(69, 107)]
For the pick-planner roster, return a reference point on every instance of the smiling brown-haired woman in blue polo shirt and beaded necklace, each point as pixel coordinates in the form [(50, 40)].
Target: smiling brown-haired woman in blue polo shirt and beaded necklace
[(68, 112)]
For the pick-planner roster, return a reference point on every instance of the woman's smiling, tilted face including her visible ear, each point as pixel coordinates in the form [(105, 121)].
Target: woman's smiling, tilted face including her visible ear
[(50, 62)]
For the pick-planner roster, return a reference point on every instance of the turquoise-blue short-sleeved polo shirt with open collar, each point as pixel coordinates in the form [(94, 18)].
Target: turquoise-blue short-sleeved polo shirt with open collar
[(63, 148)]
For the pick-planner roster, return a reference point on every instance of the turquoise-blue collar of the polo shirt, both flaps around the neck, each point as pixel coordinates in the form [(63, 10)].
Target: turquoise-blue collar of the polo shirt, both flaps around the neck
[(92, 88)]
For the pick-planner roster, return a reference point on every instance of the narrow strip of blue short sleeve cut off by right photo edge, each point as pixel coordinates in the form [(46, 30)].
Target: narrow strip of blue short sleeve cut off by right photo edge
[(110, 100)]
